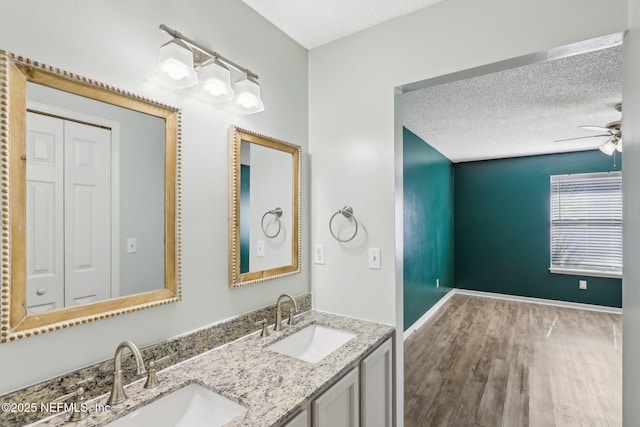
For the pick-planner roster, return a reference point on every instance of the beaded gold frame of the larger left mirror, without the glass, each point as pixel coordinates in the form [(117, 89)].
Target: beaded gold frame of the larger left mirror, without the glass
[(15, 323)]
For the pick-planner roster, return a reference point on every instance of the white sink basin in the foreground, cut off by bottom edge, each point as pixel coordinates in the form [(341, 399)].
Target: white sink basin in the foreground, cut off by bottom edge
[(190, 406)]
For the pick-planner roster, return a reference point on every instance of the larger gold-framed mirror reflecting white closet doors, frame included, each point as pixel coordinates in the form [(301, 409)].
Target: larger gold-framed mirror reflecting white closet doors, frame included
[(90, 200)]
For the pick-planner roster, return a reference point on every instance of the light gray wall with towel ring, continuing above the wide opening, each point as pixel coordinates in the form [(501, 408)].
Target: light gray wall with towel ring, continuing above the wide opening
[(354, 125)]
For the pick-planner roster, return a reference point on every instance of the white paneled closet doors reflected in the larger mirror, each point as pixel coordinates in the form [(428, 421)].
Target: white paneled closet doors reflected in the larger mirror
[(68, 213)]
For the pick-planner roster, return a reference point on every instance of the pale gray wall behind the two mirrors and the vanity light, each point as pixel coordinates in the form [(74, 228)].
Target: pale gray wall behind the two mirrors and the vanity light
[(117, 42)]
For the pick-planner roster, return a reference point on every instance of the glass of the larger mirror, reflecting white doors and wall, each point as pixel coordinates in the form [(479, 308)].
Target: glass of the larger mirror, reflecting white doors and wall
[(112, 232)]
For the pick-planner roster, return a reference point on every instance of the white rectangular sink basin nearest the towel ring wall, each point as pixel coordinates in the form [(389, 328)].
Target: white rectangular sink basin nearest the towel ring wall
[(312, 343)]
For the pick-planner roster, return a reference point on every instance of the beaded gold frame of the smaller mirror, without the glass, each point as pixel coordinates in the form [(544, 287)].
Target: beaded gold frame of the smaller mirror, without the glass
[(237, 279)]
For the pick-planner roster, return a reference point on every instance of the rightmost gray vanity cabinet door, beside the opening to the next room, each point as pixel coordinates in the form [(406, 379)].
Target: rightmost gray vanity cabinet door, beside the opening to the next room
[(377, 387)]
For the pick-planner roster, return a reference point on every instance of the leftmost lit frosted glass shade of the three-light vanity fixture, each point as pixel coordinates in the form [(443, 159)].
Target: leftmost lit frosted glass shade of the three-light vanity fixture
[(175, 66)]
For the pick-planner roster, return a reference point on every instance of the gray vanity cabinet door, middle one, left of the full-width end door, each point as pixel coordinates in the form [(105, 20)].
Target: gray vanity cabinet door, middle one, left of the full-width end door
[(339, 406)]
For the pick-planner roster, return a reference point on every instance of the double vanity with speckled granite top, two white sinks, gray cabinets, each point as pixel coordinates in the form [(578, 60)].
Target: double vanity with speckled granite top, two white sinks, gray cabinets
[(306, 375)]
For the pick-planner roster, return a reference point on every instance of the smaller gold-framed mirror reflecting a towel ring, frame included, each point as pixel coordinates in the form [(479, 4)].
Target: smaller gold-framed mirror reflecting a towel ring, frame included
[(264, 210)]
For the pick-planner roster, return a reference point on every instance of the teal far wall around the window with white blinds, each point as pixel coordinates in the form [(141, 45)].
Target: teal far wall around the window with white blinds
[(501, 228)]
